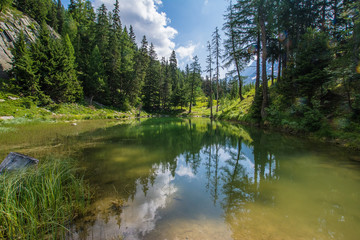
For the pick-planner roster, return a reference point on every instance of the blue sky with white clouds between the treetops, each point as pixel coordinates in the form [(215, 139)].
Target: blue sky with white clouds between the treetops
[(182, 25)]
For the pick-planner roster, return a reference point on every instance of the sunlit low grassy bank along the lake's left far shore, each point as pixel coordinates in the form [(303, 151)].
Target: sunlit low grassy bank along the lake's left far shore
[(23, 109)]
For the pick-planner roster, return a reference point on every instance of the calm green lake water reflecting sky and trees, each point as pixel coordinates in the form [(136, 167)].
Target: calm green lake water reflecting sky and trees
[(196, 179)]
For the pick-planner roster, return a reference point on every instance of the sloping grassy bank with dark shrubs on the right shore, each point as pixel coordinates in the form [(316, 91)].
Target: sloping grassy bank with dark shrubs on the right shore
[(331, 124)]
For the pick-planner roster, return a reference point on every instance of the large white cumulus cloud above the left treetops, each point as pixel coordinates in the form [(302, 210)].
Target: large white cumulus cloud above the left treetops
[(146, 20)]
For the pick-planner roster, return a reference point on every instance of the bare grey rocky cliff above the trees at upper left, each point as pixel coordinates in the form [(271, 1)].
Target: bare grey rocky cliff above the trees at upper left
[(11, 23)]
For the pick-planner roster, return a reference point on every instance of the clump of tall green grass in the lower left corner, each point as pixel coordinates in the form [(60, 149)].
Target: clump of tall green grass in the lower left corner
[(39, 203)]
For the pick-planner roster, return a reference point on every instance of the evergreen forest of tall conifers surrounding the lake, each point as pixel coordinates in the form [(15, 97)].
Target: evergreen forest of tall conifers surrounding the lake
[(315, 46)]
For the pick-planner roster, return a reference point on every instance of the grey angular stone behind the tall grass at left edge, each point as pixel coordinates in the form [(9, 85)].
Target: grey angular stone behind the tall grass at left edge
[(16, 161)]
